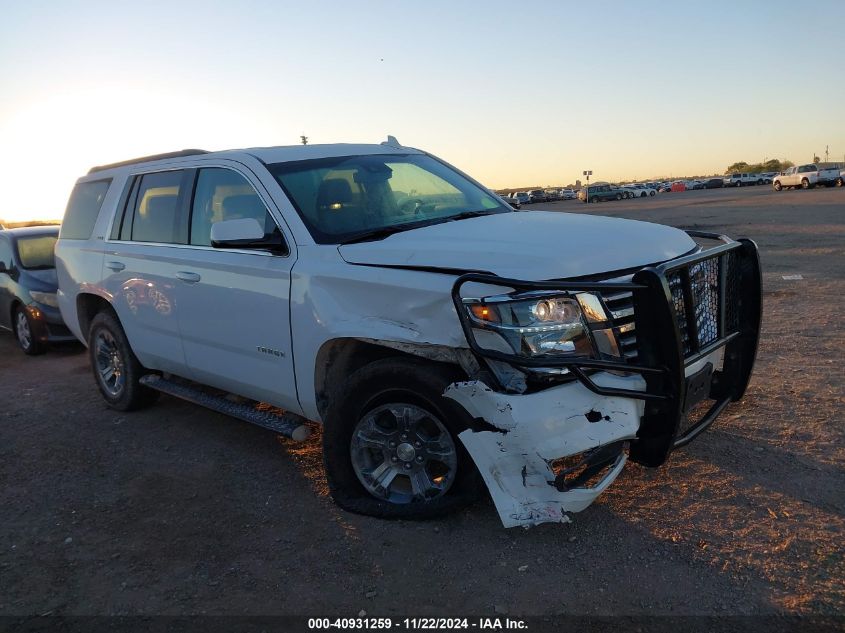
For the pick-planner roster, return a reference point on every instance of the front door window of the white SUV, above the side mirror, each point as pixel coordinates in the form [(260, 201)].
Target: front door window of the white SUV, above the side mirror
[(223, 194)]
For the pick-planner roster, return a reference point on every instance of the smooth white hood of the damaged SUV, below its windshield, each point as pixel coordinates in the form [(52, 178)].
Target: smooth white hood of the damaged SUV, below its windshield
[(532, 245)]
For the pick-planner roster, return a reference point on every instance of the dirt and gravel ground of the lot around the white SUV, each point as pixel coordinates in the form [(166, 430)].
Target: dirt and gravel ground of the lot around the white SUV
[(177, 510)]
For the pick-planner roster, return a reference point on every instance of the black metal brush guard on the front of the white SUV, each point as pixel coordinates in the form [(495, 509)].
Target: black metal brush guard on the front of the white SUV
[(665, 307)]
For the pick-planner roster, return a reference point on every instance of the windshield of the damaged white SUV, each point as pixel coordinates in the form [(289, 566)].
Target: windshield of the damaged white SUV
[(341, 198)]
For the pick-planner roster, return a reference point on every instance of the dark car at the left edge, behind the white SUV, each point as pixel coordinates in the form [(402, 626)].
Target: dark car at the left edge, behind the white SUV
[(28, 285)]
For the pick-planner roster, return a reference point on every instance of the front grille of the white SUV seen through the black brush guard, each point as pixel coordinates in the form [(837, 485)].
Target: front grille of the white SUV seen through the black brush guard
[(696, 300)]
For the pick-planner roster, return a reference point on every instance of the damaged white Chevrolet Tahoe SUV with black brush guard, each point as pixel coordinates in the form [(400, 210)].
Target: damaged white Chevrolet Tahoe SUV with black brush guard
[(441, 338)]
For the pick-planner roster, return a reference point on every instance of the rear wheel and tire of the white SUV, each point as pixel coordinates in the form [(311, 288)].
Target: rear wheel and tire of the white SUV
[(117, 370)]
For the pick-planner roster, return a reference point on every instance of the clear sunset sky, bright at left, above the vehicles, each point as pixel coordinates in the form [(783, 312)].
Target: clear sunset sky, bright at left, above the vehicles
[(515, 93)]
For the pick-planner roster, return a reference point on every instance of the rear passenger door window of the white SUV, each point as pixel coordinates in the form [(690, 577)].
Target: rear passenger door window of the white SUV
[(156, 214)]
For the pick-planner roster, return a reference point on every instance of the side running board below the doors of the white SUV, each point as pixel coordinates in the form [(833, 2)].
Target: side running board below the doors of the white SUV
[(289, 424)]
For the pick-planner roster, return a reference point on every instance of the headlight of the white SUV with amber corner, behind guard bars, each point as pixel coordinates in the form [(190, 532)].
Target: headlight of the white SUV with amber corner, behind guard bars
[(542, 324)]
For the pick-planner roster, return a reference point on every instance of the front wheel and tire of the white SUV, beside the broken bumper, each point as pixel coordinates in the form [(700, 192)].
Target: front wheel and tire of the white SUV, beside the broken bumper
[(390, 443)]
